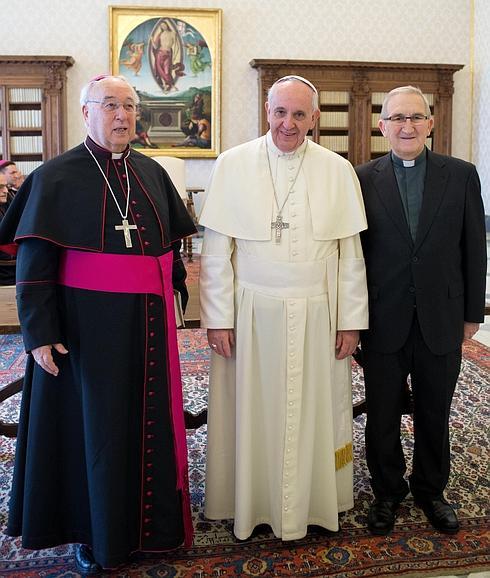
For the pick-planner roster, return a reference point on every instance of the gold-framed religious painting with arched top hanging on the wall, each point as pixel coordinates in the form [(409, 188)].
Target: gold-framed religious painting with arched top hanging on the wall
[(172, 57)]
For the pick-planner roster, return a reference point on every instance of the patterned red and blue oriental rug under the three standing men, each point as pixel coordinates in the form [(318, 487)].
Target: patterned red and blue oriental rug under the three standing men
[(414, 549)]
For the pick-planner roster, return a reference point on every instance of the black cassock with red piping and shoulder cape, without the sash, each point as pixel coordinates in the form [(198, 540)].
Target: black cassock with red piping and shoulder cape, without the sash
[(95, 460)]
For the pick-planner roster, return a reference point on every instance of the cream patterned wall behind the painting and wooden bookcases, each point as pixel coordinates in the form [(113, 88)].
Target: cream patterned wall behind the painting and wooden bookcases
[(377, 30)]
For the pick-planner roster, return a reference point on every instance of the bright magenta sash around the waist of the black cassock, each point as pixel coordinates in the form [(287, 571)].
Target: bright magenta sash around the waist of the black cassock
[(139, 274)]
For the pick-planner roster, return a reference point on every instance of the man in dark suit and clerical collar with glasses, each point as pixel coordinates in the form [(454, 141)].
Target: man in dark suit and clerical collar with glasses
[(425, 252)]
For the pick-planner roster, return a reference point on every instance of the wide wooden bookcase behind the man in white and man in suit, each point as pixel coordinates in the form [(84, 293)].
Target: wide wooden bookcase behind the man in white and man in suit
[(351, 94)]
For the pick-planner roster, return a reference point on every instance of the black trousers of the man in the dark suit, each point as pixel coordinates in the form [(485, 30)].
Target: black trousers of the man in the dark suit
[(433, 380)]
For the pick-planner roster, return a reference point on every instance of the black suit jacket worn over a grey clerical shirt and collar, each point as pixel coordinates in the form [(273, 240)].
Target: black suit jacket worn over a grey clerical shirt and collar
[(441, 275)]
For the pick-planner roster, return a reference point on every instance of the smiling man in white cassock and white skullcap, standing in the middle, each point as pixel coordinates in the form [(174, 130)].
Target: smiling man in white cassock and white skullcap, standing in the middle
[(283, 296)]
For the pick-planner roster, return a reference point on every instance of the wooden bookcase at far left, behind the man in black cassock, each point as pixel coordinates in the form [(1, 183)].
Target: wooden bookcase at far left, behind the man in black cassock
[(32, 108)]
